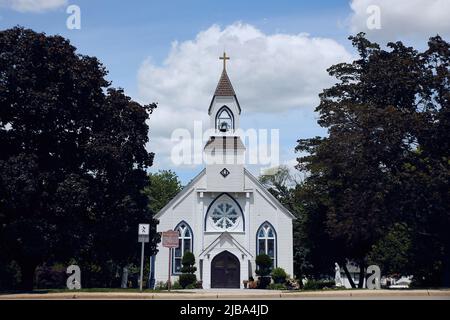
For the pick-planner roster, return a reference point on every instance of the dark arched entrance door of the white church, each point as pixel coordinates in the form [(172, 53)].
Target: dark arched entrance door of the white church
[(225, 271)]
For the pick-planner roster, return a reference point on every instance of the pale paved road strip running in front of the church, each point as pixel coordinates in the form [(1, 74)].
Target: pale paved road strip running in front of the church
[(244, 294)]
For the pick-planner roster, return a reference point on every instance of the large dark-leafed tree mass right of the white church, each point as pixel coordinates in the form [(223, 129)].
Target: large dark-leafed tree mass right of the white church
[(385, 159)]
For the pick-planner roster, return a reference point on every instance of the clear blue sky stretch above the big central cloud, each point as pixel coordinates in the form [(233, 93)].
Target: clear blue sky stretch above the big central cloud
[(123, 33)]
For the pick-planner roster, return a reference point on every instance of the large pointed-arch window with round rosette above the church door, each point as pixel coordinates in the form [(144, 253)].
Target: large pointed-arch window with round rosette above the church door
[(224, 214)]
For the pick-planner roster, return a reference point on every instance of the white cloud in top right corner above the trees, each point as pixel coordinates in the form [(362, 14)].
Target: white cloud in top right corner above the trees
[(400, 19)]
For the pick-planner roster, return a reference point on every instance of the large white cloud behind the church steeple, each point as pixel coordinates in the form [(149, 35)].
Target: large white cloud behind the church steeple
[(270, 74)]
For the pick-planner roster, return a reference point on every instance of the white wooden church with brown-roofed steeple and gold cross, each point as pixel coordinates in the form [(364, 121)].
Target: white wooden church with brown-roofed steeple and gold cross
[(224, 215)]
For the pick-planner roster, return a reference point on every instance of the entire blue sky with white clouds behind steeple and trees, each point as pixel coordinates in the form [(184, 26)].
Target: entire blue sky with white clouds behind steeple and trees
[(134, 40)]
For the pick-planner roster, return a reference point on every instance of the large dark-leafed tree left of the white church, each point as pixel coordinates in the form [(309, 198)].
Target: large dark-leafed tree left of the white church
[(73, 157)]
